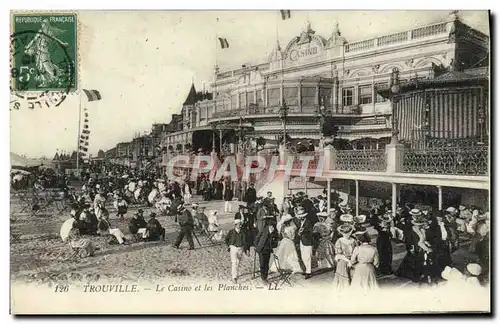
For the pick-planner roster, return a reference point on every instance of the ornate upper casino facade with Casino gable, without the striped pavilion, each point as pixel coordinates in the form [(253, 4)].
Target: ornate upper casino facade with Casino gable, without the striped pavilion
[(333, 73)]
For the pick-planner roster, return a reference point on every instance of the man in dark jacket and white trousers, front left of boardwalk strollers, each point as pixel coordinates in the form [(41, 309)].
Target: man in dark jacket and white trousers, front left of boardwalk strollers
[(237, 244)]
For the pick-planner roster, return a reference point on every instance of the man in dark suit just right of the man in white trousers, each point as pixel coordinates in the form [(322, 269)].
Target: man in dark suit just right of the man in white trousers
[(265, 241)]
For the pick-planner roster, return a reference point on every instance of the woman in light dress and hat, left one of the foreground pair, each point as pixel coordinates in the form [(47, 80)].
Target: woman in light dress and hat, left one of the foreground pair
[(344, 248)]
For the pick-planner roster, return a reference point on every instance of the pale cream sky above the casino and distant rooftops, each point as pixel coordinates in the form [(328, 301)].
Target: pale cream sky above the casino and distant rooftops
[(143, 63)]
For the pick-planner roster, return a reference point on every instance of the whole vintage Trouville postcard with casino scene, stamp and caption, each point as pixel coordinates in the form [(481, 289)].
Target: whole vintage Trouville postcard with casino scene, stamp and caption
[(250, 162)]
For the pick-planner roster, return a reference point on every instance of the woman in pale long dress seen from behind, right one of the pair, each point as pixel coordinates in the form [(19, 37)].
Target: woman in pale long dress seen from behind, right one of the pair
[(364, 259)]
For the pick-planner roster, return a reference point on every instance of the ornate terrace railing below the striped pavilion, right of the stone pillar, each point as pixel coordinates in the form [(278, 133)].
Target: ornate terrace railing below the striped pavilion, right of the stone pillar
[(459, 161)]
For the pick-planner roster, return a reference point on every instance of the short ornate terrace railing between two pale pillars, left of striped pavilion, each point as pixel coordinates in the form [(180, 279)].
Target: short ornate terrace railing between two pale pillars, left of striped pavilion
[(361, 160)]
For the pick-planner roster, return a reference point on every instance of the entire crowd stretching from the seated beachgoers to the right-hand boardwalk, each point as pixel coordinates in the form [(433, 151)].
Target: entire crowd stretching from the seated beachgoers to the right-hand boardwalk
[(300, 235)]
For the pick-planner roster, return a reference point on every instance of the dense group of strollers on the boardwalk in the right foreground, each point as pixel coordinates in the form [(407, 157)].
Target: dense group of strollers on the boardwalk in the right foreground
[(339, 241)]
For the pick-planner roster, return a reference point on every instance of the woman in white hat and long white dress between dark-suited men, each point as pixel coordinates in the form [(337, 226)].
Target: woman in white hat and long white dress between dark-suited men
[(286, 252)]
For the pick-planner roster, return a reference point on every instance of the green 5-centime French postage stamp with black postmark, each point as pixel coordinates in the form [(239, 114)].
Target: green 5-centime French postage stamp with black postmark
[(44, 52)]
